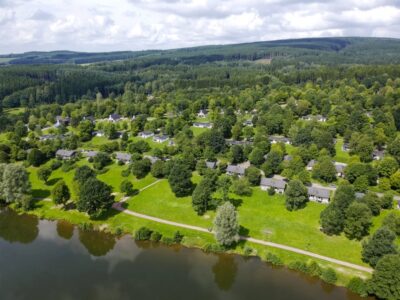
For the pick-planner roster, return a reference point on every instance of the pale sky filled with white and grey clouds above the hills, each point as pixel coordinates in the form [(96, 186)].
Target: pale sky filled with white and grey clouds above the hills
[(113, 25)]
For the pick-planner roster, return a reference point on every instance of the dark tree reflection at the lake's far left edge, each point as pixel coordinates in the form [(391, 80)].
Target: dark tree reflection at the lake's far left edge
[(18, 228)]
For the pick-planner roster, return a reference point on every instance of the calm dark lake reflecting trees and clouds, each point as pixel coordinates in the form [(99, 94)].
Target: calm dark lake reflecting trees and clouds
[(55, 260)]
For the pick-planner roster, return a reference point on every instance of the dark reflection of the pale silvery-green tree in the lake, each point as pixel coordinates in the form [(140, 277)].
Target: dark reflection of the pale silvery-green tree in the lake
[(225, 271)]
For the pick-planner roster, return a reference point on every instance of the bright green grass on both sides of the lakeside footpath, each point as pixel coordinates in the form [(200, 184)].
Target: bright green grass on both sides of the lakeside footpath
[(261, 216)]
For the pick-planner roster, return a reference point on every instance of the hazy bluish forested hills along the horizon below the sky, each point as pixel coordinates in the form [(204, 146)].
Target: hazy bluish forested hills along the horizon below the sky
[(308, 50)]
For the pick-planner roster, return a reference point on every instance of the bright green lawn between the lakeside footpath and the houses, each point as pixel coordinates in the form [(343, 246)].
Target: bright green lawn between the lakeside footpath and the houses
[(262, 216)]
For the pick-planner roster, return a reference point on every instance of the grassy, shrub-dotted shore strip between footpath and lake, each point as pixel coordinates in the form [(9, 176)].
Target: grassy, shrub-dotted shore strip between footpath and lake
[(201, 240)]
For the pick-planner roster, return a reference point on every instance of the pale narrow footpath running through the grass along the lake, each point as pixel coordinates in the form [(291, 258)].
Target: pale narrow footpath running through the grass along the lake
[(119, 206)]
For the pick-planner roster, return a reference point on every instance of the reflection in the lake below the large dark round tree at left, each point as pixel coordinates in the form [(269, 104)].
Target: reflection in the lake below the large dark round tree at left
[(98, 243)]
